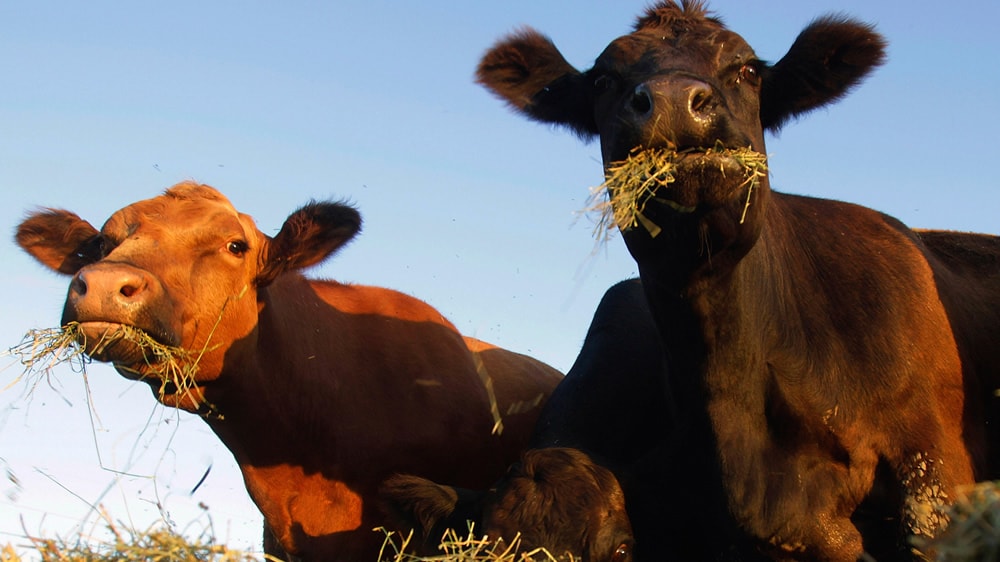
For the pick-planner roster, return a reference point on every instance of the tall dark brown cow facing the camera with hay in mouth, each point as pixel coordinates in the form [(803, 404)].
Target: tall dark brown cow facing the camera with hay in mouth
[(826, 361)]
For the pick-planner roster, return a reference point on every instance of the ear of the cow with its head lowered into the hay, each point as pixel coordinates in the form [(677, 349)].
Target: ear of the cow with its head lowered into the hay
[(411, 502)]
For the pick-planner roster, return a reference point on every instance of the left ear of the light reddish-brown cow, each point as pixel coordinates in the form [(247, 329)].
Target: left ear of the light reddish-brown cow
[(59, 240)]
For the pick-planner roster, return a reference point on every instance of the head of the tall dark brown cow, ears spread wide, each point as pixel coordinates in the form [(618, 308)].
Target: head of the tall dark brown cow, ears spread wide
[(682, 81)]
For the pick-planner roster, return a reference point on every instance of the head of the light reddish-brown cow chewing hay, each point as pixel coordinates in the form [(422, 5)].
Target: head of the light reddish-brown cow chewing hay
[(183, 268)]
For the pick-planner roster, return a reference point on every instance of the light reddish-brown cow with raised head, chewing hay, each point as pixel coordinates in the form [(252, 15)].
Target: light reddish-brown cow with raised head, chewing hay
[(320, 390)]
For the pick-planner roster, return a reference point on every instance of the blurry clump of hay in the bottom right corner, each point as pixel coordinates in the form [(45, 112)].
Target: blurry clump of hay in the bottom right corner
[(973, 534)]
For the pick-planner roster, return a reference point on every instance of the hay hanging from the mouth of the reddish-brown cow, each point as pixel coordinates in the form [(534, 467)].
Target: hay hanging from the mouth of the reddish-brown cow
[(174, 367)]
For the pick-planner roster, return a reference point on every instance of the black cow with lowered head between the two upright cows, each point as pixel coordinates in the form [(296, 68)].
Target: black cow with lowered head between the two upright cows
[(582, 483)]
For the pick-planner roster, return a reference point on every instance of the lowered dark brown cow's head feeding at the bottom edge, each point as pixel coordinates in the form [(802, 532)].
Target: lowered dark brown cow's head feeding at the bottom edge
[(555, 498)]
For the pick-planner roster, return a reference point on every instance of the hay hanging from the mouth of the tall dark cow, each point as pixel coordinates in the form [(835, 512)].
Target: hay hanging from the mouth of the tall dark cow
[(632, 182)]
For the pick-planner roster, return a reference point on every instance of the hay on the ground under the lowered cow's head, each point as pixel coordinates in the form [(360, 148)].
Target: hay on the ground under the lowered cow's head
[(469, 548)]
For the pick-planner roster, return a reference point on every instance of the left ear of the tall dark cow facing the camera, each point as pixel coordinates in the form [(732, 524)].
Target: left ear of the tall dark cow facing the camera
[(527, 71)]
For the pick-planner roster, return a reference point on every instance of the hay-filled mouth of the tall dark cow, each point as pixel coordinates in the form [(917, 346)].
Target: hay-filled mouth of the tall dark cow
[(676, 181)]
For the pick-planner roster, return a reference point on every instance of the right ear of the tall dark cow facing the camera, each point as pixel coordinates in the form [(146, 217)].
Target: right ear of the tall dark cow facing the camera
[(828, 58)]
